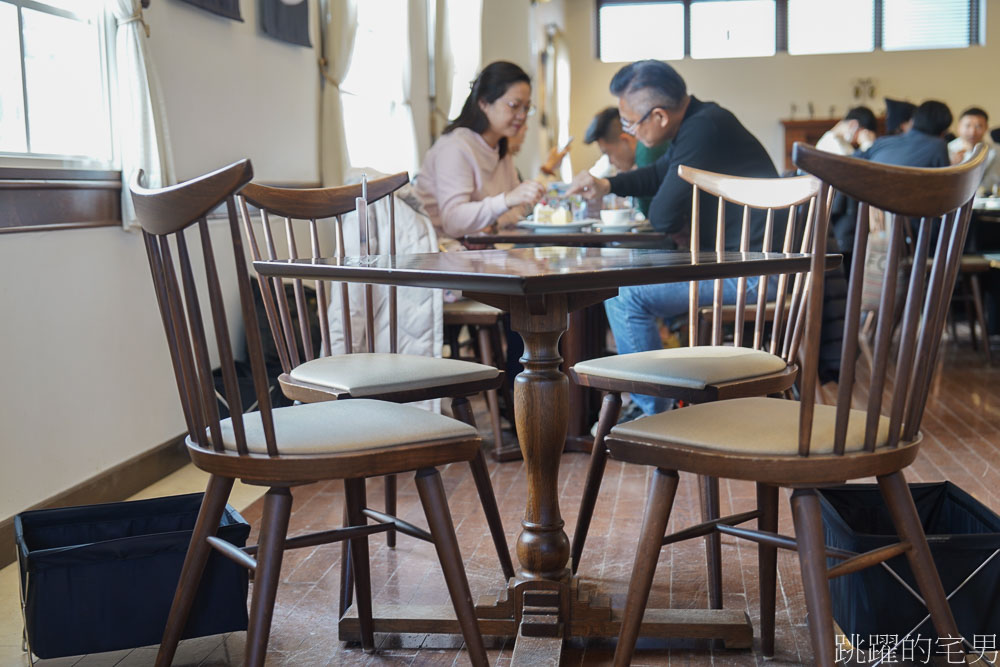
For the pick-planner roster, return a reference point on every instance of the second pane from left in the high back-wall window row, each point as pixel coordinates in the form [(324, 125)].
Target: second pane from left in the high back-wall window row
[(736, 29)]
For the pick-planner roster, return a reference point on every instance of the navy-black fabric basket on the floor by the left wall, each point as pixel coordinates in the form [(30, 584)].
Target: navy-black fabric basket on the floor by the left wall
[(102, 577)]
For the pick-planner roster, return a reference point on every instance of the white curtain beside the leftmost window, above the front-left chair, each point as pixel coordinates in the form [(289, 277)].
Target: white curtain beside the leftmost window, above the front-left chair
[(140, 117)]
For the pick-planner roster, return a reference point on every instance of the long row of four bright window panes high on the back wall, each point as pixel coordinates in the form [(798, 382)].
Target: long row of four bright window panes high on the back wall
[(629, 30)]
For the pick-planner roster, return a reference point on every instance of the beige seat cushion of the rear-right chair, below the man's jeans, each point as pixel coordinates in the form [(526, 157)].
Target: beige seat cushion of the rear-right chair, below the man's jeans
[(690, 367)]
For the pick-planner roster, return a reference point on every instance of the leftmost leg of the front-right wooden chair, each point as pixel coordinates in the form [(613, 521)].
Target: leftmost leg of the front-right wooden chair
[(654, 526)]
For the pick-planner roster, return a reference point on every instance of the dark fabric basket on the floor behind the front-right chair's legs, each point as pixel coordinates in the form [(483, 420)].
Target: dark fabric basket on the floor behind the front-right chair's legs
[(962, 534)]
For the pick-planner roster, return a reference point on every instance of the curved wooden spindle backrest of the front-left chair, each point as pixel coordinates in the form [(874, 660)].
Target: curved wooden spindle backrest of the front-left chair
[(165, 215)]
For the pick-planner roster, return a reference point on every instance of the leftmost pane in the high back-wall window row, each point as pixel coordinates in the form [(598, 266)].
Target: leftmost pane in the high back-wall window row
[(632, 32)]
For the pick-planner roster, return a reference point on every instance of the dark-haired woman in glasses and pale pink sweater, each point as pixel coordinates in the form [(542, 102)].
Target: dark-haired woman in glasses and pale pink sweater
[(468, 178)]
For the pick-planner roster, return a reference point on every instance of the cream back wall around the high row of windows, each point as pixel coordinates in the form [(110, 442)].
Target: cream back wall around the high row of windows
[(760, 91)]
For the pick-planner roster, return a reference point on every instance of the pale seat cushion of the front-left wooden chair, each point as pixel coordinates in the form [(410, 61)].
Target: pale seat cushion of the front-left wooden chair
[(344, 426)]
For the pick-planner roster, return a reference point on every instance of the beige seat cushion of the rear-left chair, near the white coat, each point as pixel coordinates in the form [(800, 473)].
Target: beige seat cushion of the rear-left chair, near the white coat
[(368, 374)]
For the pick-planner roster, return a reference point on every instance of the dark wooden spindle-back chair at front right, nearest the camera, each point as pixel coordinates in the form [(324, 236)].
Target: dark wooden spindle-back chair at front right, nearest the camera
[(805, 446)]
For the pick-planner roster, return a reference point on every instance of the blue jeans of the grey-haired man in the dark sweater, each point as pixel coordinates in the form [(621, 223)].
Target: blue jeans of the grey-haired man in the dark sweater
[(632, 316)]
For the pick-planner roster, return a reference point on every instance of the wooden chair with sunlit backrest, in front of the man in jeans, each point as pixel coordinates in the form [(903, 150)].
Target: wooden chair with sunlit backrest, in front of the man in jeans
[(759, 364)]
